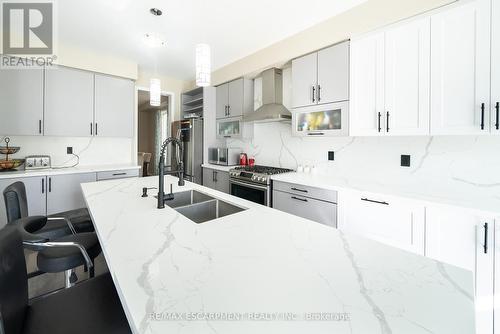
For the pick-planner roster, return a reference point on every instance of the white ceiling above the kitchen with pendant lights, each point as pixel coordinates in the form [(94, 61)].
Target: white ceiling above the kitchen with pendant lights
[(233, 28)]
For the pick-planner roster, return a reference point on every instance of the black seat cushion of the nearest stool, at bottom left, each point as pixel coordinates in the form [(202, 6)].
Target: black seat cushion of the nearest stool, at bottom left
[(89, 307)]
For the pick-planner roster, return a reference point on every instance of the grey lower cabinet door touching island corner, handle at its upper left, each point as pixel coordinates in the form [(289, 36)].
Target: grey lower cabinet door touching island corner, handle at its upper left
[(64, 192)]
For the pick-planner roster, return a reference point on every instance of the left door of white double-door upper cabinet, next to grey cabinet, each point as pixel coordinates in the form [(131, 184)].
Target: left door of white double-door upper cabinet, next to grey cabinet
[(367, 85)]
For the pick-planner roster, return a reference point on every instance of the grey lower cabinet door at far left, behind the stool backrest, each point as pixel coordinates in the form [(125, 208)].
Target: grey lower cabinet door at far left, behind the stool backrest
[(35, 193)]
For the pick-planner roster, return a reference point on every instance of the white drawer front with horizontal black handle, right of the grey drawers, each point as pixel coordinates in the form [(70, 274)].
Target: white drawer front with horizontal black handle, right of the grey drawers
[(393, 221)]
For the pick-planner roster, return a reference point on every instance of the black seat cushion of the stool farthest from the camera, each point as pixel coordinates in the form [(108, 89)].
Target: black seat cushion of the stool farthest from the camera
[(80, 218)]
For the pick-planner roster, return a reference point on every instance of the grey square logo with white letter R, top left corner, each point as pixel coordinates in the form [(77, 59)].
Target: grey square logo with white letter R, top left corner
[(28, 28)]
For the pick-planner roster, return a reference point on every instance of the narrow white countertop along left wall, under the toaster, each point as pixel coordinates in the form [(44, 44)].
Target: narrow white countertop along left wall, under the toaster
[(70, 170)]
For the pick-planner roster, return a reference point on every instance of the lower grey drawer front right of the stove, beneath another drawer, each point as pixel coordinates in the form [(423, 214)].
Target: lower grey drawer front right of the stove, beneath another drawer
[(318, 211)]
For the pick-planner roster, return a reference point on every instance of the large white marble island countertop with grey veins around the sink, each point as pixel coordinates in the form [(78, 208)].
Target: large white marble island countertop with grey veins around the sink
[(175, 276)]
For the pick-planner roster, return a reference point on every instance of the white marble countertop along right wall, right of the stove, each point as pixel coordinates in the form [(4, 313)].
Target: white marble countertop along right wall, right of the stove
[(480, 201)]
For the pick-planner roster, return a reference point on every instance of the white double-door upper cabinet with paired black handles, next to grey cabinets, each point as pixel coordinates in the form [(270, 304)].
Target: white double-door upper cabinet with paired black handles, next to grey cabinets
[(390, 82)]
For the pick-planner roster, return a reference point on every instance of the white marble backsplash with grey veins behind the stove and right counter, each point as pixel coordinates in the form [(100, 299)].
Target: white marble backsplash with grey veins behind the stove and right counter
[(439, 162)]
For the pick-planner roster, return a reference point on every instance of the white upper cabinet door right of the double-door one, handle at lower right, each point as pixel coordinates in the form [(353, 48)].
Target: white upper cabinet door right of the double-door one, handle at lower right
[(460, 69)]
